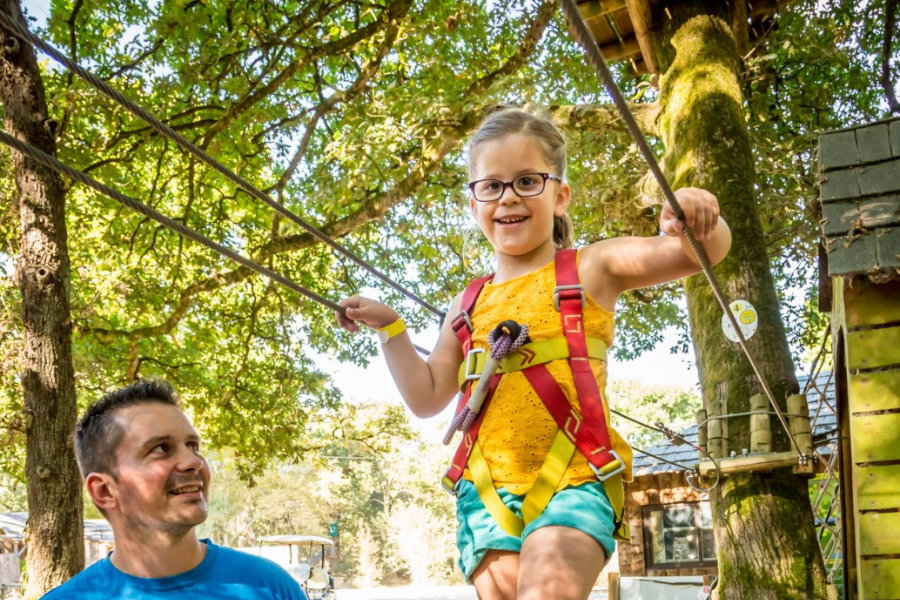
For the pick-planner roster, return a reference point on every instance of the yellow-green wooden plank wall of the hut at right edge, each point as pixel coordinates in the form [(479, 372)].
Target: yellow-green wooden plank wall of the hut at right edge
[(872, 329)]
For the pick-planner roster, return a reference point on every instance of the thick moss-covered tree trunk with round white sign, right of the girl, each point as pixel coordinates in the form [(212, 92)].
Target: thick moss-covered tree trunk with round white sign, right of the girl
[(764, 524)]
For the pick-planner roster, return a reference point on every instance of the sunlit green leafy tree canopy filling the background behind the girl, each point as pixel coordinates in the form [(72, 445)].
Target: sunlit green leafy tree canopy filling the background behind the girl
[(355, 115)]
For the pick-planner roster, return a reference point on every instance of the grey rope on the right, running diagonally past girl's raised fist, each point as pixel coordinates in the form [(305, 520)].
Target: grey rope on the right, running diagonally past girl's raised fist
[(595, 57)]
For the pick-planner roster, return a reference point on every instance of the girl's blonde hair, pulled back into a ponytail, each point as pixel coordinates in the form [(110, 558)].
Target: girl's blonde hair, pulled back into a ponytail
[(550, 142)]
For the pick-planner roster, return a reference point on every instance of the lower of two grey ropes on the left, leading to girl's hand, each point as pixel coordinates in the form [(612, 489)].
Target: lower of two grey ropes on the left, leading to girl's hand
[(60, 167)]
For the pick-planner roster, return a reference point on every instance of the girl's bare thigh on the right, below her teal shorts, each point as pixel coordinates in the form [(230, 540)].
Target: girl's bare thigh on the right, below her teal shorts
[(560, 563)]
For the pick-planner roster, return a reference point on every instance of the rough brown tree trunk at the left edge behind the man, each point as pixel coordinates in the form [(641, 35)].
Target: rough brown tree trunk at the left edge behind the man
[(55, 530)]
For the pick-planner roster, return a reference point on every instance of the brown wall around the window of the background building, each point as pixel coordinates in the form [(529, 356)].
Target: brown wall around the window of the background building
[(658, 488)]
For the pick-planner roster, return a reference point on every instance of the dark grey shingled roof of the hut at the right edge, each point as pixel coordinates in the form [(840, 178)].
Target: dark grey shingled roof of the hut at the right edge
[(860, 193)]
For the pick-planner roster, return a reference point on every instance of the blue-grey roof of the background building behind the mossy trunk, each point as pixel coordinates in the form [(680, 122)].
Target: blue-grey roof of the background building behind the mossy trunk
[(824, 430)]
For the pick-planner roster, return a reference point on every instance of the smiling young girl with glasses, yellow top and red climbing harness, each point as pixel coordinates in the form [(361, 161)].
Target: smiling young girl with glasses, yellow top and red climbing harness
[(540, 497)]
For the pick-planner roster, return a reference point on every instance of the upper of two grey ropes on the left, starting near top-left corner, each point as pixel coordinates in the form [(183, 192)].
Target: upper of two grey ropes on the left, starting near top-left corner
[(7, 21)]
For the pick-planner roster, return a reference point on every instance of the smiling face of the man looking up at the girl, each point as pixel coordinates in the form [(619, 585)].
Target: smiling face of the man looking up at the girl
[(162, 480)]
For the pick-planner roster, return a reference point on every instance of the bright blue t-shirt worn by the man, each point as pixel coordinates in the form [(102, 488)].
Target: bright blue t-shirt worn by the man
[(223, 574)]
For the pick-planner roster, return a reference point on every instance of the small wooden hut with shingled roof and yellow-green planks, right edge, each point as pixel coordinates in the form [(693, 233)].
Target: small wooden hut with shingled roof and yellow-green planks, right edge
[(860, 272)]
